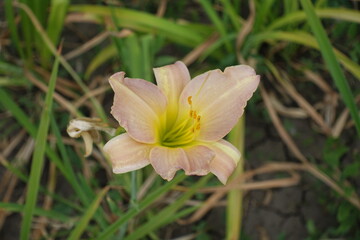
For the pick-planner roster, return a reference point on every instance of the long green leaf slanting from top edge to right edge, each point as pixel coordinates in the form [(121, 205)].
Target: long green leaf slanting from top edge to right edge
[(331, 61)]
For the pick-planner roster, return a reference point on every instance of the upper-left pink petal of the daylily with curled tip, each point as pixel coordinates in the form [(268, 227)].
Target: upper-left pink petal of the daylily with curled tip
[(138, 107)]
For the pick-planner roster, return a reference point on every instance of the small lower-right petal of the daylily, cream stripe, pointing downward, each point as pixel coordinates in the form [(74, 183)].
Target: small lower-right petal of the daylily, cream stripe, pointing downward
[(225, 161)]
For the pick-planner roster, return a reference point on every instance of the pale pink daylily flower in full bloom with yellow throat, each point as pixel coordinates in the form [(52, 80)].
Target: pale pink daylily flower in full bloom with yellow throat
[(180, 123)]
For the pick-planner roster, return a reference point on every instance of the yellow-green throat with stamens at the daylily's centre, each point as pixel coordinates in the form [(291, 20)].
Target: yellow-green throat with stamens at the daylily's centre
[(183, 132)]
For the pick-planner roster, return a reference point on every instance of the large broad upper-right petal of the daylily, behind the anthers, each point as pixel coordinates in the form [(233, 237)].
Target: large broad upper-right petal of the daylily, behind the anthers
[(219, 98)]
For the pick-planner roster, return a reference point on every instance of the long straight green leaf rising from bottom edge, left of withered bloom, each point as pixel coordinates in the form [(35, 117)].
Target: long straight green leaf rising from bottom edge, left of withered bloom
[(38, 156)]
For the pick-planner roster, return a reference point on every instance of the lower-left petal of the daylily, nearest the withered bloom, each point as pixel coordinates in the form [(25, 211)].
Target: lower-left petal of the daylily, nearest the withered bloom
[(126, 154)]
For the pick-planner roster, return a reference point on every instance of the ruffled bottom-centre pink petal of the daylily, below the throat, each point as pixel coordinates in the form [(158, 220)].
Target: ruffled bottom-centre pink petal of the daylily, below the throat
[(193, 160)]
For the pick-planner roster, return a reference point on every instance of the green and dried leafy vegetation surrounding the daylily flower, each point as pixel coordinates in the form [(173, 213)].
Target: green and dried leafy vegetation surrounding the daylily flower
[(56, 56)]
